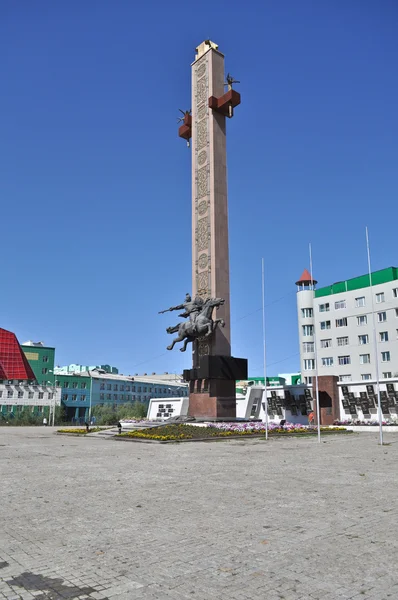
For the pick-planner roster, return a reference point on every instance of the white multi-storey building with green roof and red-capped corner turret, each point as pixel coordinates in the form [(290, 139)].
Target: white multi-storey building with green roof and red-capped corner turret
[(336, 327)]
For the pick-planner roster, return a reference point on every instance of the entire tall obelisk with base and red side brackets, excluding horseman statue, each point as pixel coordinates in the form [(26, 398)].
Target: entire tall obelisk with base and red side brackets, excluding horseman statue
[(212, 379)]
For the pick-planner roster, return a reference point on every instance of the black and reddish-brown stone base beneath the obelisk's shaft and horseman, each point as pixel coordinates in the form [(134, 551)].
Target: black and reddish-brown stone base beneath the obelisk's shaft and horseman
[(212, 394)]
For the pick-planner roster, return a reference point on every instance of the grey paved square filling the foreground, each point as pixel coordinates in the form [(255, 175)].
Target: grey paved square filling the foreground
[(234, 520)]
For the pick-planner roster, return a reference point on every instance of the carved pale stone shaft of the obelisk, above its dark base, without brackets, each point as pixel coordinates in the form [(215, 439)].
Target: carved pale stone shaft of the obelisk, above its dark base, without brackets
[(210, 254)]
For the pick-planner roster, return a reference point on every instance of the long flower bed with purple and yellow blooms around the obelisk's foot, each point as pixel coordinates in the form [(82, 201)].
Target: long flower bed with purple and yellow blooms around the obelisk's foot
[(220, 430)]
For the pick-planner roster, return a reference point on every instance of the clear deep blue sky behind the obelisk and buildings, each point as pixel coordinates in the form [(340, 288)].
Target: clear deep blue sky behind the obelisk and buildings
[(95, 183)]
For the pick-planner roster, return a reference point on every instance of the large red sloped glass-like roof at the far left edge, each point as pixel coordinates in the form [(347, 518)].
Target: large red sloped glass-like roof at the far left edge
[(13, 362)]
